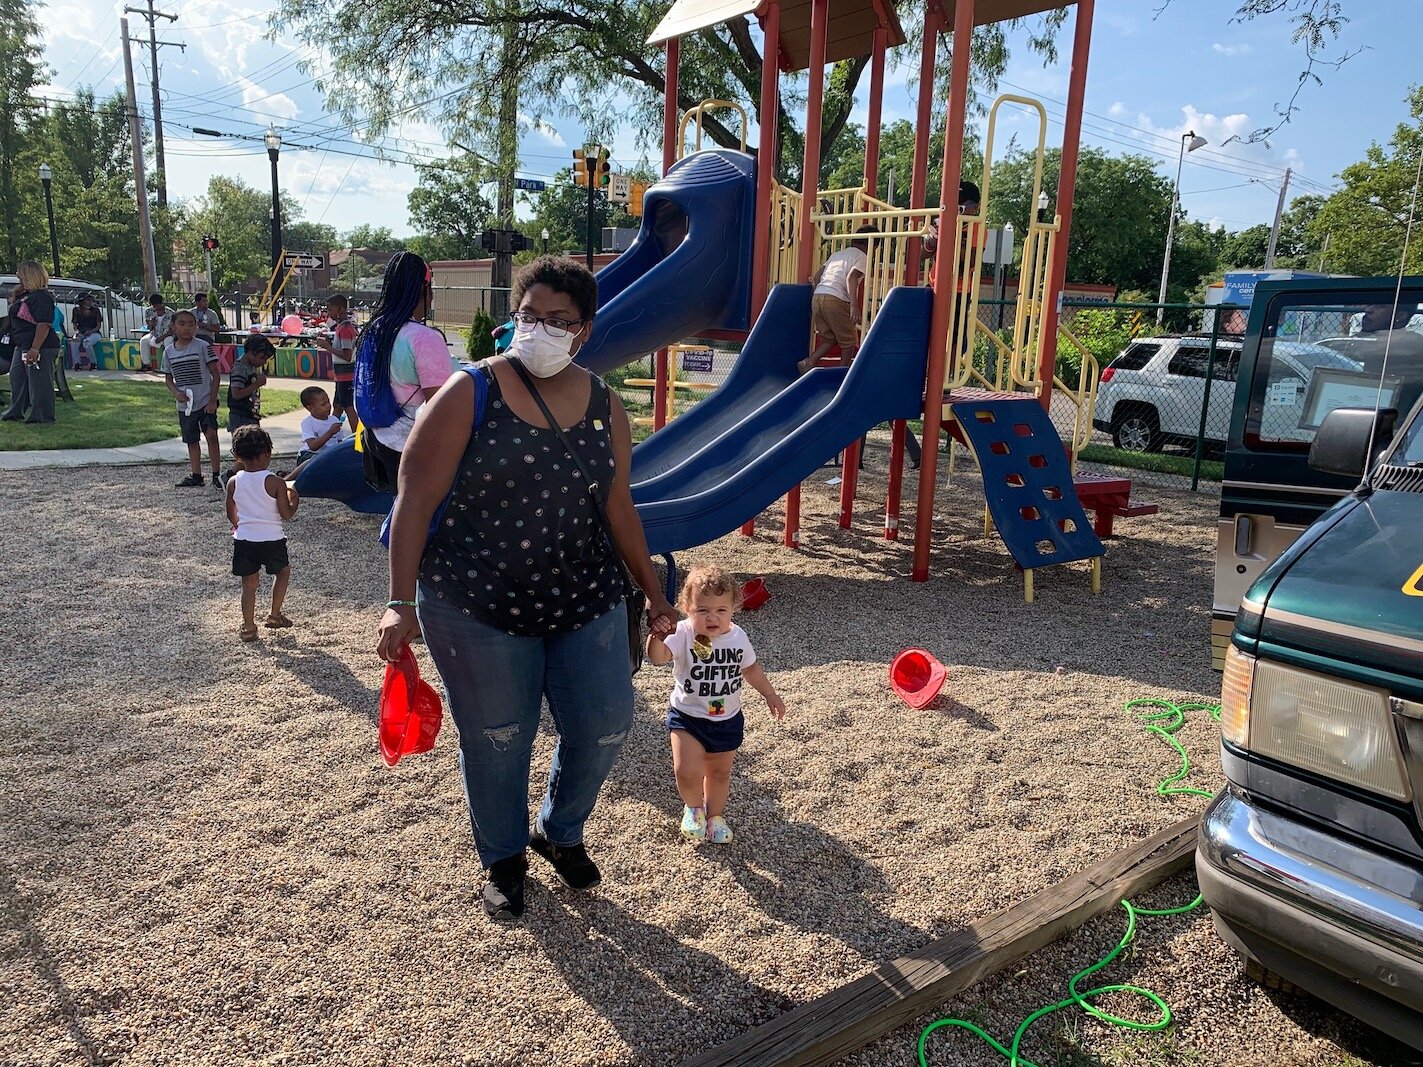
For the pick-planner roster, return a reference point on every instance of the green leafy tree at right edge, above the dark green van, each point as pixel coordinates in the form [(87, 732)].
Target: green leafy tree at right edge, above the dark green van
[(1368, 220)]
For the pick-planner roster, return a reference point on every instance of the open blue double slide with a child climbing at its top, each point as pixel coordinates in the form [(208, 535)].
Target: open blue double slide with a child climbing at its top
[(765, 432)]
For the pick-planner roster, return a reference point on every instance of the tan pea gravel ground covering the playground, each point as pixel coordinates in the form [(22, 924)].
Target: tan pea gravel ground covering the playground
[(203, 859)]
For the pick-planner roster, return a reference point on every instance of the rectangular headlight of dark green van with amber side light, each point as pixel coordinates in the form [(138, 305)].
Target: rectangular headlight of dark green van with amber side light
[(1333, 728)]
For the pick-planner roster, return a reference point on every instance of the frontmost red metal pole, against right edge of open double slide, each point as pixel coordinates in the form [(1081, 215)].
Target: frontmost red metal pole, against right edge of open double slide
[(946, 284)]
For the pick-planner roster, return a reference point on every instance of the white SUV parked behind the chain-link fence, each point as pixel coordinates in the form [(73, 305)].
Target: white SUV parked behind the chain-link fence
[(1153, 393)]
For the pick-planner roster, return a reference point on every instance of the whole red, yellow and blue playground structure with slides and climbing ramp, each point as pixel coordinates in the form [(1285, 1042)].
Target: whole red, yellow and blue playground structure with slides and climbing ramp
[(726, 253)]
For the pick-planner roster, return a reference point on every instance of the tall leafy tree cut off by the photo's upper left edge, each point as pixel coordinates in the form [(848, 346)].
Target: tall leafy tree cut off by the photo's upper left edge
[(22, 208)]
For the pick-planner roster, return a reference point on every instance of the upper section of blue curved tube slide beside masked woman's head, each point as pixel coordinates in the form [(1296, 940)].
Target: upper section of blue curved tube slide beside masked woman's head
[(689, 268)]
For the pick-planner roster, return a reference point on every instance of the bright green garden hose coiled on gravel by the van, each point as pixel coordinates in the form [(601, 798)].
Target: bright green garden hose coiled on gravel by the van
[(1163, 719)]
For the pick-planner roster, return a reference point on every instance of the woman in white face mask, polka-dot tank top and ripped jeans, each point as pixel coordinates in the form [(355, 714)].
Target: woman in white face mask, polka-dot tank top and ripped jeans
[(519, 594)]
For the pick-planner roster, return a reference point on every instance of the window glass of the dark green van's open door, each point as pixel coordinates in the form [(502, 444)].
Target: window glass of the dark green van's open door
[(1316, 358)]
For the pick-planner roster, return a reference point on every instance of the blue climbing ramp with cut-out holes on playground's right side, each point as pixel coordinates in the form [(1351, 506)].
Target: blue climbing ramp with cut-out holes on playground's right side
[(1028, 482)]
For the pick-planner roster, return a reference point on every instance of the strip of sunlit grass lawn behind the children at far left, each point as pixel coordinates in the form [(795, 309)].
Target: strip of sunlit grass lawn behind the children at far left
[(115, 415)]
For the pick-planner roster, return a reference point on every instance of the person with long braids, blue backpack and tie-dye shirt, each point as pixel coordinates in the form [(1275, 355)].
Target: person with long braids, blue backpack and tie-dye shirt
[(401, 363)]
